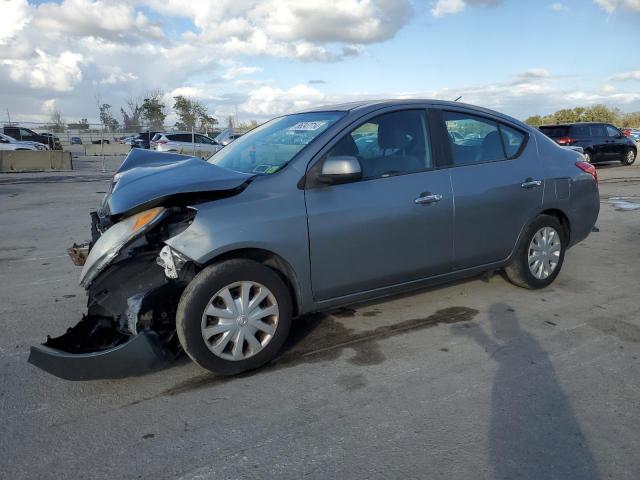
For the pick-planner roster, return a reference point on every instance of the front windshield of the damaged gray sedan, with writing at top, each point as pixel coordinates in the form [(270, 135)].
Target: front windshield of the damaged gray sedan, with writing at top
[(271, 146)]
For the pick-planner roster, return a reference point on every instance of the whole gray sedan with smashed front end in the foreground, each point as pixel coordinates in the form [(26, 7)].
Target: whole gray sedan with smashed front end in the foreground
[(219, 257)]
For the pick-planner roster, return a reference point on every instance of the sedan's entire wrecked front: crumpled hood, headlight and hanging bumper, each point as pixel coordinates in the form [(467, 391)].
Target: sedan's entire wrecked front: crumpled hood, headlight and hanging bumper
[(133, 279)]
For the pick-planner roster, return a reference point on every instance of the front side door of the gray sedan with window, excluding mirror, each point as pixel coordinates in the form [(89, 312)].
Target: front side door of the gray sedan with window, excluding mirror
[(395, 225)]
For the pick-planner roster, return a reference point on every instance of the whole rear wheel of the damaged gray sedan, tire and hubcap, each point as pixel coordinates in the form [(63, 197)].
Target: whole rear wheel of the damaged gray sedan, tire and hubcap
[(519, 271)]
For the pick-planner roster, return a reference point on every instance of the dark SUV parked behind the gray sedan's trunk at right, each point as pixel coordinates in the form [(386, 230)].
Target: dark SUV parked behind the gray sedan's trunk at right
[(601, 141)]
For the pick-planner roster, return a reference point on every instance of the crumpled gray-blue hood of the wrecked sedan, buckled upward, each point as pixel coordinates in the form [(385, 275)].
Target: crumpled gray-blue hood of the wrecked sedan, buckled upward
[(148, 178)]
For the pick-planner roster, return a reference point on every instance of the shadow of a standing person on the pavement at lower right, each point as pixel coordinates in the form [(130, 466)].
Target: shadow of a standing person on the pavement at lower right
[(534, 432)]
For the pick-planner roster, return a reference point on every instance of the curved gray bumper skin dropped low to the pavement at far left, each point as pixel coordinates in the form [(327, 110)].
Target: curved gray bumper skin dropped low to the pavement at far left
[(139, 355)]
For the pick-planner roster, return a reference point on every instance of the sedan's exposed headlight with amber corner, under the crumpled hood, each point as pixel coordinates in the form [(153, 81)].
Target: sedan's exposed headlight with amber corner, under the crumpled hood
[(111, 241)]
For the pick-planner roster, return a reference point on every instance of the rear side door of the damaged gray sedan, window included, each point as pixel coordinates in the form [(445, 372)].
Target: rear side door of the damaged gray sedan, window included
[(497, 183)]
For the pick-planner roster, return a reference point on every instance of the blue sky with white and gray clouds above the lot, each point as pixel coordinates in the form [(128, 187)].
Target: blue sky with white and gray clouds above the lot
[(260, 58)]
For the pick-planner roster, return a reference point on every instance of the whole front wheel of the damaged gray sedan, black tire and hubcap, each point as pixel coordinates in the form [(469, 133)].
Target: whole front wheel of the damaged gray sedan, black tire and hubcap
[(222, 352)]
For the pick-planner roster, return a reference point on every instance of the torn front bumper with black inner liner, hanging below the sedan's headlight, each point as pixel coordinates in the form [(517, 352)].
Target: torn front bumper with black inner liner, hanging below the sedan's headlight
[(129, 327)]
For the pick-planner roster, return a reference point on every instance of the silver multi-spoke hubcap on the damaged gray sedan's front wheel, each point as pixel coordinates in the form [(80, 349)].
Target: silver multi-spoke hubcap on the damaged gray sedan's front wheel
[(240, 320)]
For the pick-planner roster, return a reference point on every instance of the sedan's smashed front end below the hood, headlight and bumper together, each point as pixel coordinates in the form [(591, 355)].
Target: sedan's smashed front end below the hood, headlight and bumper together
[(134, 282)]
